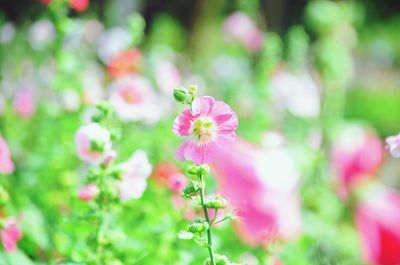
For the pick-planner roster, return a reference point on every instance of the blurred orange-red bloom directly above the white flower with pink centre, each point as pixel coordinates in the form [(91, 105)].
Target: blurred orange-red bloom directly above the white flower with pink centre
[(126, 62)]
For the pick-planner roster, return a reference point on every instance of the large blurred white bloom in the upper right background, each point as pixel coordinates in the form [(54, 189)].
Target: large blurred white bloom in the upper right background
[(298, 93)]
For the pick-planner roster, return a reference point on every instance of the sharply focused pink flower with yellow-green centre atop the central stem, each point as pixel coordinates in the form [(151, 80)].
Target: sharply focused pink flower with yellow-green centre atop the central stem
[(209, 125)]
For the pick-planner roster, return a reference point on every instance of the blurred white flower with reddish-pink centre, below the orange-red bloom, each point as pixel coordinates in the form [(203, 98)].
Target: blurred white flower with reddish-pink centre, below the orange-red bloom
[(133, 99)]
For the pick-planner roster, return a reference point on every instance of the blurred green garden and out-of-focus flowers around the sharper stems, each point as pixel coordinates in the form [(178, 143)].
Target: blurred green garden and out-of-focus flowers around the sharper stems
[(316, 86)]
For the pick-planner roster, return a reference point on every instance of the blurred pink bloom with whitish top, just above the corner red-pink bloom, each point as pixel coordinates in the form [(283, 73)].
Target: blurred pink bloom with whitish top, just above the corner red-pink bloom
[(356, 155)]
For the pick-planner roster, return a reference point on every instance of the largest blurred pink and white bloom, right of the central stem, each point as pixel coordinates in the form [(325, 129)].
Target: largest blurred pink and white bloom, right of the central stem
[(262, 187)]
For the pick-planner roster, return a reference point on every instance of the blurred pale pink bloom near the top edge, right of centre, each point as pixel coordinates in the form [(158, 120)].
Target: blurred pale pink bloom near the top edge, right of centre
[(241, 28)]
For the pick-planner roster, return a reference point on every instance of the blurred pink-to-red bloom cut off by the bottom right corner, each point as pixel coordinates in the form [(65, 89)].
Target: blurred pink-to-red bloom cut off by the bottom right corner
[(378, 219)]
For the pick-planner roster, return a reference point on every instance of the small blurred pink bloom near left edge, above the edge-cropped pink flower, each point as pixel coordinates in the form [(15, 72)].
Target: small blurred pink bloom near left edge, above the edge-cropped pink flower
[(24, 103)]
